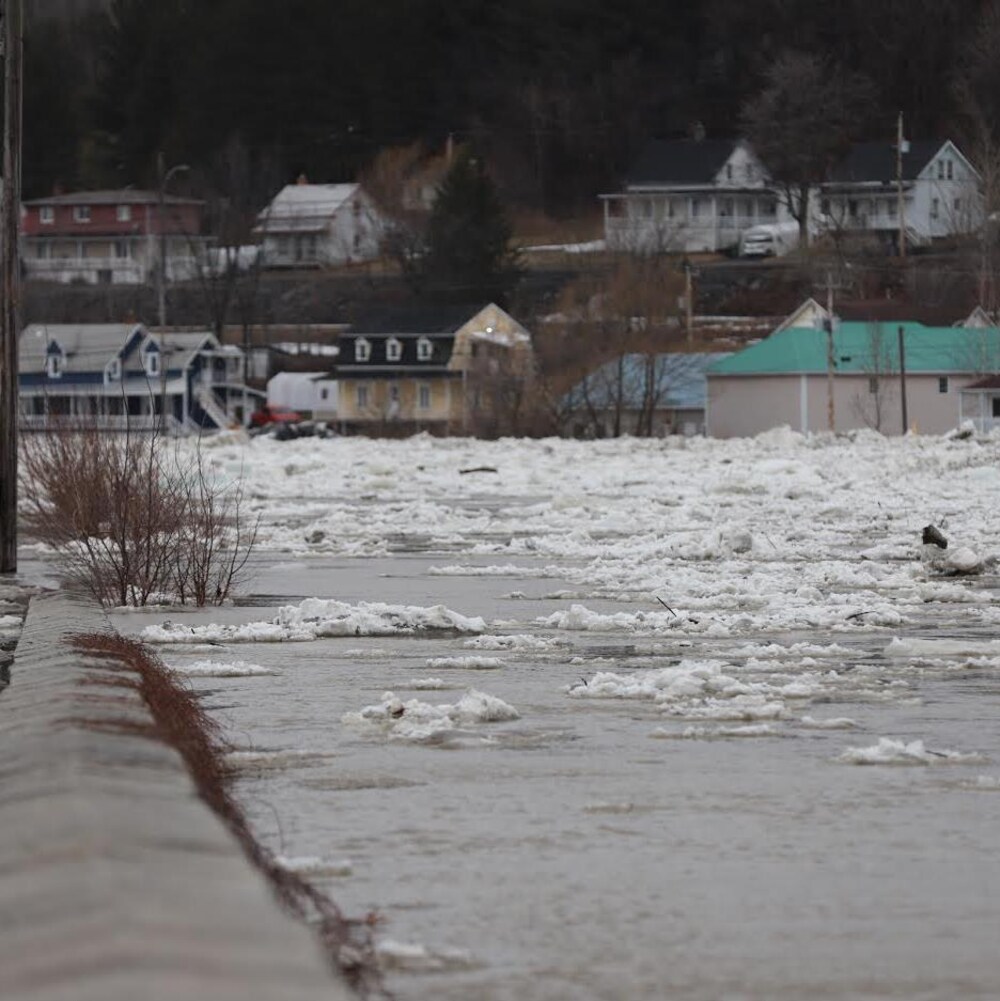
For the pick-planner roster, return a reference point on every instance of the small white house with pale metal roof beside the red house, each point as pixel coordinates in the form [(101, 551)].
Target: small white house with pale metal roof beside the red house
[(318, 225)]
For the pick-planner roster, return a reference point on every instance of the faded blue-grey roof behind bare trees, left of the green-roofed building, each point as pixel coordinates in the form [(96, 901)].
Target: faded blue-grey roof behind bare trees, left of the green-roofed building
[(678, 382)]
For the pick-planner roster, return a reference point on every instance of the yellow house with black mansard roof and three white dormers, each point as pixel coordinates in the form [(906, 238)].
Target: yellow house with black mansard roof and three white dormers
[(463, 378)]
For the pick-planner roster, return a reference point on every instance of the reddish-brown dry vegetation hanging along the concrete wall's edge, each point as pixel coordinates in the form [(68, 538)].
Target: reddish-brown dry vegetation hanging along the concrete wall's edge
[(181, 722)]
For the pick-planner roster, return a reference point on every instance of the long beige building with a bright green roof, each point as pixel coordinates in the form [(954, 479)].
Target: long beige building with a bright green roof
[(888, 377)]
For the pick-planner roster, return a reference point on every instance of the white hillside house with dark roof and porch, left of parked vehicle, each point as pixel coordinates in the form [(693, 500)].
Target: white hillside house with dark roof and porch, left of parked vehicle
[(691, 196)]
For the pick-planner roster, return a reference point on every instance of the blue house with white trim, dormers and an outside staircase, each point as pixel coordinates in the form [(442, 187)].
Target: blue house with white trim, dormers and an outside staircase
[(121, 377)]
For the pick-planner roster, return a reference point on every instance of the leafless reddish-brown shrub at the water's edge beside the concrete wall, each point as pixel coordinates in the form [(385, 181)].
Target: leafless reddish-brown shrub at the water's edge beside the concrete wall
[(133, 519)]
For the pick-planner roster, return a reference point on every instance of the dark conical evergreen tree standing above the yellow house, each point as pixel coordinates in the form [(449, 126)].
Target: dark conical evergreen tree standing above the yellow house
[(469, 238)]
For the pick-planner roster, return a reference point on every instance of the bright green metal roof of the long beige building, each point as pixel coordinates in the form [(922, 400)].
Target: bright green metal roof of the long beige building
[(864, 349)]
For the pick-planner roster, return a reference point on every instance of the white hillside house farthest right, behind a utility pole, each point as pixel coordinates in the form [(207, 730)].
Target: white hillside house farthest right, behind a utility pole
[(941, 193)]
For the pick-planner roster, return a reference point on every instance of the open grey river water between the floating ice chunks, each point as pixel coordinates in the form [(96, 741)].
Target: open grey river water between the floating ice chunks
[(590, 850)]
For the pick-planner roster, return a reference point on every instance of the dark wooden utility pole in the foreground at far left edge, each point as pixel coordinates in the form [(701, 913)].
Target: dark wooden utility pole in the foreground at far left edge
[(11, 291)]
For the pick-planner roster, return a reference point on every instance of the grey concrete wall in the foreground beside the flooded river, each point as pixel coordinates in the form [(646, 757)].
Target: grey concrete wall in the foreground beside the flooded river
[(117, 882)]
